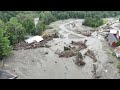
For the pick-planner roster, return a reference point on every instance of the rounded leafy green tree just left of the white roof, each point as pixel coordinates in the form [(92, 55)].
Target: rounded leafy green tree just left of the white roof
[(15, 31)]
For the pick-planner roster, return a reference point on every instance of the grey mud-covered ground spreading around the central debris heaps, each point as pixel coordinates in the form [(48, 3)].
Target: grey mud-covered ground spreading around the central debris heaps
[(36, 64)]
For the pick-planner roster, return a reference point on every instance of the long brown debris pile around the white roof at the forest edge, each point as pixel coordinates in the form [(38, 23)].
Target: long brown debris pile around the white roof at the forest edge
[(35, 44)]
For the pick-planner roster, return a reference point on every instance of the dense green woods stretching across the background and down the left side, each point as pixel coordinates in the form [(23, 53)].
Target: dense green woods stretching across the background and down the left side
[(15, 25)]
